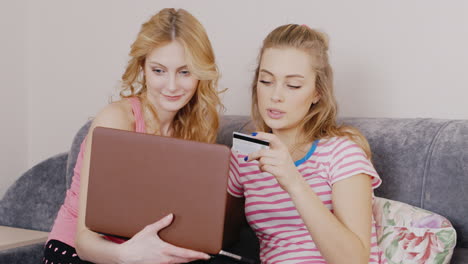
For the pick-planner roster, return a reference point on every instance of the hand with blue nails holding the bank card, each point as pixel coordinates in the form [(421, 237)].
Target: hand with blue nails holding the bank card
[(277, 161)]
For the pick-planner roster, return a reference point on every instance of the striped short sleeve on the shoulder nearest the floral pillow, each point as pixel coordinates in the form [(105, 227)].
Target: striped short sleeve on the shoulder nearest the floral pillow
[(348, 159)]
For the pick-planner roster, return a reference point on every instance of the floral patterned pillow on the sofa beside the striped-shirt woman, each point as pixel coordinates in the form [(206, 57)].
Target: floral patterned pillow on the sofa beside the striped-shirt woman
[(408, 234)]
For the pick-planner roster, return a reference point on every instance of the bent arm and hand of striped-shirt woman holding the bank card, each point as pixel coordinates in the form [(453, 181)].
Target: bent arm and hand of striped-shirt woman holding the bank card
[(342, 236)]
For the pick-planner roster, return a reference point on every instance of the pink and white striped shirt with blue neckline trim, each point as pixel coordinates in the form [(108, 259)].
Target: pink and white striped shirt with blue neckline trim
[(270, 212)]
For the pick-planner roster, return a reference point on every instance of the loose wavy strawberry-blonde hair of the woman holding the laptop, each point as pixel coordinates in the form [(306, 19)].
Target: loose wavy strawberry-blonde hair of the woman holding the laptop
[(198, 120)]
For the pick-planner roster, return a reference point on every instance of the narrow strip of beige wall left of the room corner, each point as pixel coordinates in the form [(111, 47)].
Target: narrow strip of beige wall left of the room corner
[(13, 106)]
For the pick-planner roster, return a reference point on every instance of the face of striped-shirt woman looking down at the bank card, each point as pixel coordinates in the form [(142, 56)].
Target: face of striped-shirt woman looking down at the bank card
[(285, 88)]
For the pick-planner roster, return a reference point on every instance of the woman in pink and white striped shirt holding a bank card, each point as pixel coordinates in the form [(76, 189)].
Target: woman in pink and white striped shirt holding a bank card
[(309, 196)]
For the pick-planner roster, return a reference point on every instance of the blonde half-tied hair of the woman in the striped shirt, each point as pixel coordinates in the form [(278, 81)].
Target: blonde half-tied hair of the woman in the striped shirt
[(320, 121)]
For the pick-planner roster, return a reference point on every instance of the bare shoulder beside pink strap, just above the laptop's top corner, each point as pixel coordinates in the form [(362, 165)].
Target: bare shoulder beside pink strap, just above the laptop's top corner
[(117, 115)]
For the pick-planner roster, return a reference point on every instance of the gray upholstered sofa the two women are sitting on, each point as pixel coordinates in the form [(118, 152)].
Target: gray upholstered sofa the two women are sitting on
[(423, 162)]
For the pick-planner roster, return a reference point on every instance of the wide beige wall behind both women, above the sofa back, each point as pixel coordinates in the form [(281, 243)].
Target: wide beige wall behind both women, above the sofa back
[(391, 58)]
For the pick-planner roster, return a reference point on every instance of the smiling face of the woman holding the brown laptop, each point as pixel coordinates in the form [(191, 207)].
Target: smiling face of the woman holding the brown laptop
[(169, 82)]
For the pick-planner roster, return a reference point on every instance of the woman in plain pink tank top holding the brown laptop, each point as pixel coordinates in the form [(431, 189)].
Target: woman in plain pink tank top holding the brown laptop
[(170, 89)]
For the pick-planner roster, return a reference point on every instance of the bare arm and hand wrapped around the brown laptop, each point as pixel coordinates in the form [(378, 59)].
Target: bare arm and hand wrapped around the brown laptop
[(144, 247)]
